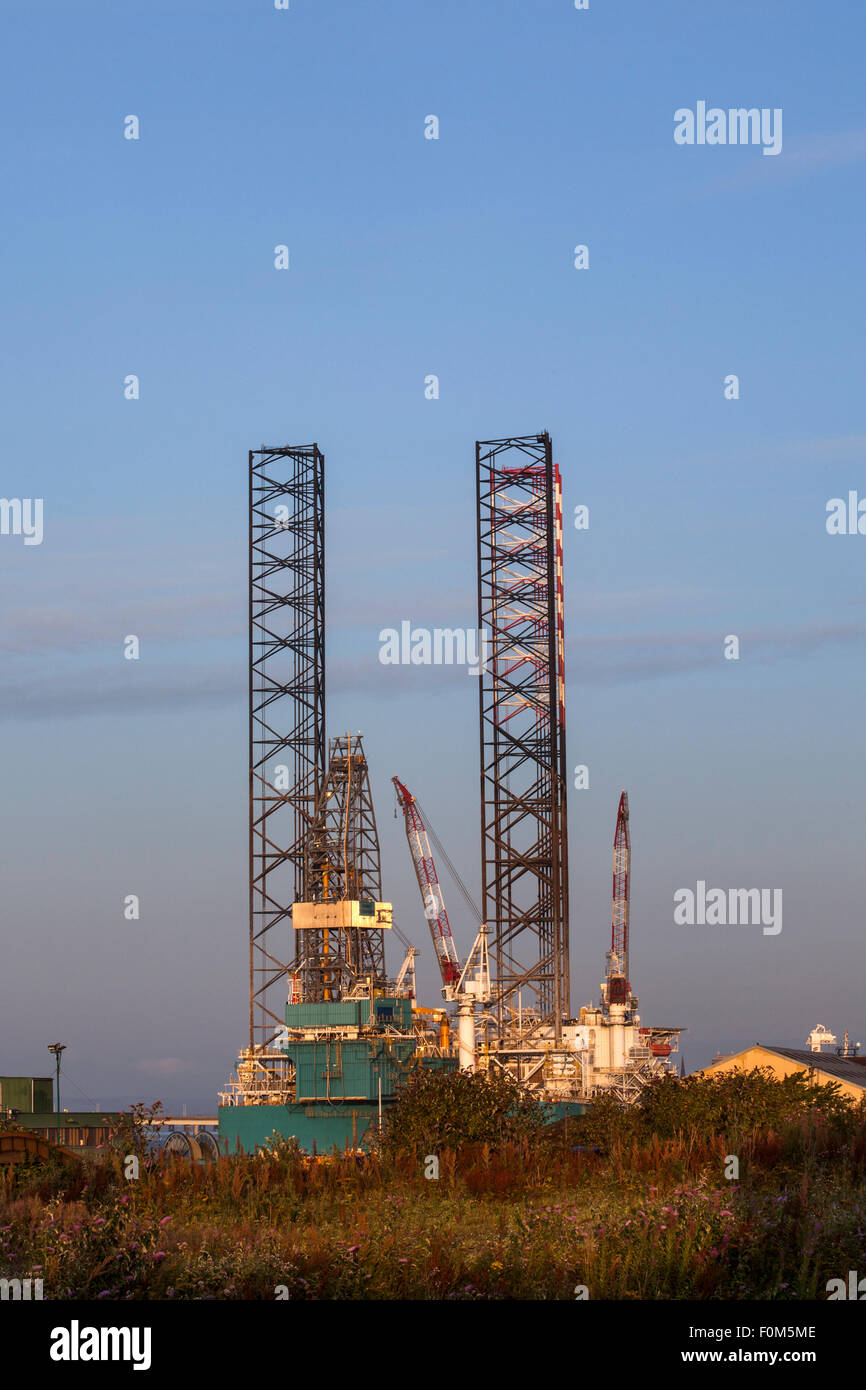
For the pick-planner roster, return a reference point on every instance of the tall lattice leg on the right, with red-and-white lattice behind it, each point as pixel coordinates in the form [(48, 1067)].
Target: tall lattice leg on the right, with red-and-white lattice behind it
[(523, 740)]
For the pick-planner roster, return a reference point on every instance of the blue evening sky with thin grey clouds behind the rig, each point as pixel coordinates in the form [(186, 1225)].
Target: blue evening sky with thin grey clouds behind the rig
[(414, 258)]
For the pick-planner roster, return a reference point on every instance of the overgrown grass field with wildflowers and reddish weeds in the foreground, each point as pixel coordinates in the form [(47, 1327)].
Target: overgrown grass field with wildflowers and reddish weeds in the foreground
[(647, 1217)]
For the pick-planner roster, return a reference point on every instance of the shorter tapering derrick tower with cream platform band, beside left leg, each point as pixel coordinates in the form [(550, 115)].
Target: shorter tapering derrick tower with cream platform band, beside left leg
[(343, 861)]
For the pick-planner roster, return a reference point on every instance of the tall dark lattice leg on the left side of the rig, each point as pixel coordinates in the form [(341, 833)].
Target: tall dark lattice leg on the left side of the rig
[(287, 717)]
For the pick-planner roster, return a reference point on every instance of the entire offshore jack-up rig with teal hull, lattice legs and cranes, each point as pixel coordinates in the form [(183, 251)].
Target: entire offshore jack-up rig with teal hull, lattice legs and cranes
[(333, 1035)]
